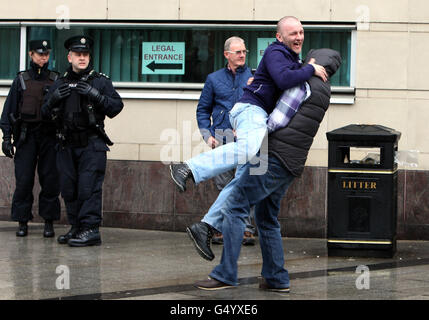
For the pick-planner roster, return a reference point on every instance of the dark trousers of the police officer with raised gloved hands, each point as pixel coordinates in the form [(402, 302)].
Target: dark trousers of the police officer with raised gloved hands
[(82, 171)]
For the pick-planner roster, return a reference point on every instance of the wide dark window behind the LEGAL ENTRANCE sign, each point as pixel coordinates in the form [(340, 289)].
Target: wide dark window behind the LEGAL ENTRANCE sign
[(180, 53)]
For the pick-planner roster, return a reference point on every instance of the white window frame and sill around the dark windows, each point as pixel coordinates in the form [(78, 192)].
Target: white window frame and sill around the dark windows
[(340, 94)]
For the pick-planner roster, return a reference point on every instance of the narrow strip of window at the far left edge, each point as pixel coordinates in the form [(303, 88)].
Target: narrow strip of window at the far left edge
[(9, 52)]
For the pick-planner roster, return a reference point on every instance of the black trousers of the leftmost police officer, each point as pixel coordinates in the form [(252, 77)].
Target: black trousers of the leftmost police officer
[(38, 150)]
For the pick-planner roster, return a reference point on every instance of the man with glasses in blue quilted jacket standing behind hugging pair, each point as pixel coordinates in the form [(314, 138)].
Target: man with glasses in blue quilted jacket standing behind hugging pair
[(223, 88)]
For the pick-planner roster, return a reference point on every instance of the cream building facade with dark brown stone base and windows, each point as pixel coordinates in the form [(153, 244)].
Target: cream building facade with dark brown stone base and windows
[(158, 55)]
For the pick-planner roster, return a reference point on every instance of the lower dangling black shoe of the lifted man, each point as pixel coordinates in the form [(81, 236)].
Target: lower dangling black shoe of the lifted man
[(201, 234)]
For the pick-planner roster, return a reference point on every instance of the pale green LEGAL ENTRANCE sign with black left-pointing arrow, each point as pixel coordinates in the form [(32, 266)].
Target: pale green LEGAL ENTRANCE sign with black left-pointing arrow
[(163, 58)]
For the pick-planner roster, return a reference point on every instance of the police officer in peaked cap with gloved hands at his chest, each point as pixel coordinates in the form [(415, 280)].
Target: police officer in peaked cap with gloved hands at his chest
[(78, 103)]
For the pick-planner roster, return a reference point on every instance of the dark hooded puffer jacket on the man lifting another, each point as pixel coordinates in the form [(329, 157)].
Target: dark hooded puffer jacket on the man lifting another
[(291, 144)]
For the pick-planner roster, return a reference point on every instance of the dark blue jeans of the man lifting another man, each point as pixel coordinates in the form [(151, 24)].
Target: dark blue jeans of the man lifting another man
[(264, 191)]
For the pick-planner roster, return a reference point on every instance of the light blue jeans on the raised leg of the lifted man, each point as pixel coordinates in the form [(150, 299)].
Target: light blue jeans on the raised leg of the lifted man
[(250, 123)]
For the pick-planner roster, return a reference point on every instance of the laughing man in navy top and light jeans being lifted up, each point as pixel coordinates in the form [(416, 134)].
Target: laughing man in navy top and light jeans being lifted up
[(280, 69)]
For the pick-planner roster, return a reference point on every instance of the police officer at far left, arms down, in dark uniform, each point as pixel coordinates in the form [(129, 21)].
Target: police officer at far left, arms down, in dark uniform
[(34, 141)]
